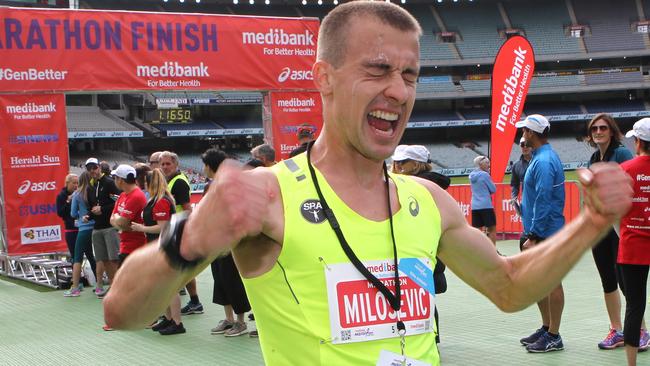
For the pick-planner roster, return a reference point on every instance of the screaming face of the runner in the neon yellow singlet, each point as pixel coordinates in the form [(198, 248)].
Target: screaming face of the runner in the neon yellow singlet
[(372, 92)]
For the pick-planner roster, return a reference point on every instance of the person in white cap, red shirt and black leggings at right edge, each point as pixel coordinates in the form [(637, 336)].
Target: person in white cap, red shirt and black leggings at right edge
[(634, 249)]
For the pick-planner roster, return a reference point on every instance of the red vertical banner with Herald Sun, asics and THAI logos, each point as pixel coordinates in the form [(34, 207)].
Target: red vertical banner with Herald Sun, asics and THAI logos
[(34, 156)]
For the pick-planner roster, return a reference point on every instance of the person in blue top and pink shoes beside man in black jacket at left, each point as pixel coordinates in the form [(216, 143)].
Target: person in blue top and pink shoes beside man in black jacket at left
[(83, 244)]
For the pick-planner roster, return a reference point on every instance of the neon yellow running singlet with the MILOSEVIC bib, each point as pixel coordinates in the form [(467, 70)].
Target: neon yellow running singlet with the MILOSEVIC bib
[(291, 300)]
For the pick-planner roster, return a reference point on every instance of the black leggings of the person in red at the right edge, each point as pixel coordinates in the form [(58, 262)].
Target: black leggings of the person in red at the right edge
[(635, 278)]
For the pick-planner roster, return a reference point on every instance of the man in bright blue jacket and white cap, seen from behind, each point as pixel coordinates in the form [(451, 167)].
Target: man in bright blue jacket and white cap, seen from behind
[(542, 215)]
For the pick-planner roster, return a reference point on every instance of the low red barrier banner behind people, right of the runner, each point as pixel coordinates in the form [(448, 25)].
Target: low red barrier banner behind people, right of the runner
[(507, 219)]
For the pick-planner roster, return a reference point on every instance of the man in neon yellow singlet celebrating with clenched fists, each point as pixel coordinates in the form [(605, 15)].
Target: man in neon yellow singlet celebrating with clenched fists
[(317, 232)]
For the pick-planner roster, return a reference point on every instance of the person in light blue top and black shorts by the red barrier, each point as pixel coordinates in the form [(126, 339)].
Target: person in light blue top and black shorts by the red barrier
[(482, 190)]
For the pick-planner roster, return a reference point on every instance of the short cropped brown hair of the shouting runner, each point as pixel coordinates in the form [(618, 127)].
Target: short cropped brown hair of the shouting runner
[(333, 33)]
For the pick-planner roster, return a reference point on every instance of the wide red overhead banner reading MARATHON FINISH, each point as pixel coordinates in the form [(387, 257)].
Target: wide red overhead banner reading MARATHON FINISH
[(71, 50)]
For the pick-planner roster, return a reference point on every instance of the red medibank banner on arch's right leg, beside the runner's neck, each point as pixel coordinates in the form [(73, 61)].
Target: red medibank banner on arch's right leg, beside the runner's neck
[(289, 112)]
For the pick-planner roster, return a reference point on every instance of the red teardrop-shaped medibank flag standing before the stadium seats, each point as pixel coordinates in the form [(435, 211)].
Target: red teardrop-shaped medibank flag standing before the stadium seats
[(513, 71)]
